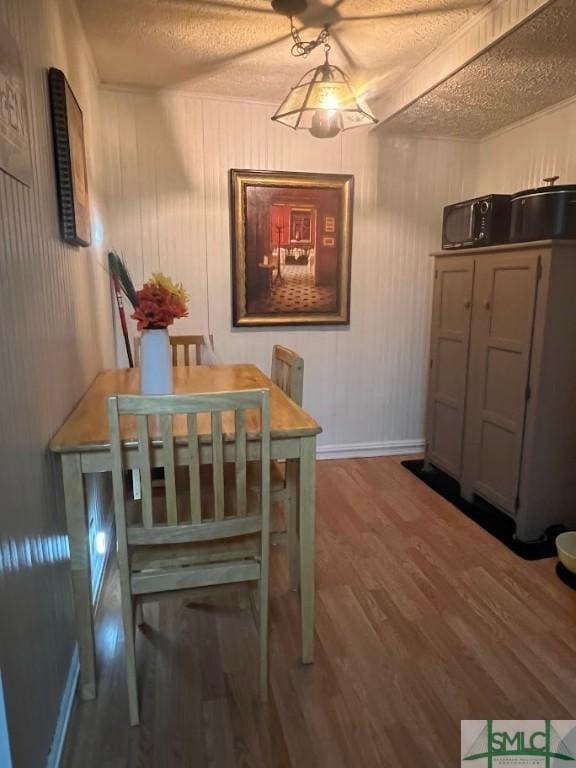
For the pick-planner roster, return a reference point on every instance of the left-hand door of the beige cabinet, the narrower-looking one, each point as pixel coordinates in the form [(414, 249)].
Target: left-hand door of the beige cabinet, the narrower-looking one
[(453, 280)]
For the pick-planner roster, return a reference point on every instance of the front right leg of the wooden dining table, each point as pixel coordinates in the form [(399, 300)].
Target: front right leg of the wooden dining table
[(307, 504)]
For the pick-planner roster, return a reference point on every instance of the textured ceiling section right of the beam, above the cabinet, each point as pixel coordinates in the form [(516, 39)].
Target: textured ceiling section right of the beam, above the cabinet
[(528, 71)]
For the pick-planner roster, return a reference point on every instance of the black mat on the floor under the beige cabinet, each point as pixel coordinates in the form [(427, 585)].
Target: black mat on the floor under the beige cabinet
[(485, 515)]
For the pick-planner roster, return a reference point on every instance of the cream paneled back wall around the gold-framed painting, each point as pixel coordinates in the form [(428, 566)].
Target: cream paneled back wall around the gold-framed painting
[(167, 161)]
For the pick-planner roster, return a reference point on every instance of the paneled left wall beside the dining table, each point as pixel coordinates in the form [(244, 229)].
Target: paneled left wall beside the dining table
[(55, 334)]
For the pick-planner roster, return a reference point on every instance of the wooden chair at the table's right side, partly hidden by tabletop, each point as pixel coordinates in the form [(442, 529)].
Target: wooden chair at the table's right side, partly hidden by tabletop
[(287, 373)]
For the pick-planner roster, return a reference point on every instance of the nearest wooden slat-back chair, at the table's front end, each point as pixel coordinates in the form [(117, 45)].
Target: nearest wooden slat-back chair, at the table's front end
[(197, 530)]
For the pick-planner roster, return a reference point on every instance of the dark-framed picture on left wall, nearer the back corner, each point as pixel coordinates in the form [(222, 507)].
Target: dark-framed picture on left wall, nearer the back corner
[(70, 156)]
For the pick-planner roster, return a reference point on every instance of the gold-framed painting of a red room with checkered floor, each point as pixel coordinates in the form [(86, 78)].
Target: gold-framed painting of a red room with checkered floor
[(284, 272)]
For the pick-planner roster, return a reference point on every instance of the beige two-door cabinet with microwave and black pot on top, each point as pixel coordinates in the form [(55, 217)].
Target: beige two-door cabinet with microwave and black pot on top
[(501, 413)]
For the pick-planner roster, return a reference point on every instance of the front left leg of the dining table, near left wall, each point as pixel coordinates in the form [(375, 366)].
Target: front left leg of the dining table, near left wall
[(77, 523)]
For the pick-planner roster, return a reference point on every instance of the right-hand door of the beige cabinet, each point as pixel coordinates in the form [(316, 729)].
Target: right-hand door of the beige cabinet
[(501, 342)]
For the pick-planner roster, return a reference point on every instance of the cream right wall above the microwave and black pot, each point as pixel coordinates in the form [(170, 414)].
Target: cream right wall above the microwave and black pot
[(520, 156)]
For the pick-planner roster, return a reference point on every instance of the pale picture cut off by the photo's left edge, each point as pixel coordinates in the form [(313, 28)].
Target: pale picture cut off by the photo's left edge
[(14, 137)]
